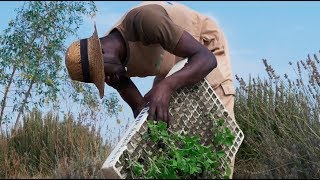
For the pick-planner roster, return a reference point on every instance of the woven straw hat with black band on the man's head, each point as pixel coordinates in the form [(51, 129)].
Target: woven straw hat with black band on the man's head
[(84, 61)]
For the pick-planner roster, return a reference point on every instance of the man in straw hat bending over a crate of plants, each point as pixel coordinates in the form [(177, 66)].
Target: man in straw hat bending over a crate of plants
[(147, 41)]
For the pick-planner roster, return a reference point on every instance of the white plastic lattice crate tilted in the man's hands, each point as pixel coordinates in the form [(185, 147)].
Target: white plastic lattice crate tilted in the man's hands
[(189, 110)]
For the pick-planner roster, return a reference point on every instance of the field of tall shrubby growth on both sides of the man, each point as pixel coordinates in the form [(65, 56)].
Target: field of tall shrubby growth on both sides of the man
[(279, 117)]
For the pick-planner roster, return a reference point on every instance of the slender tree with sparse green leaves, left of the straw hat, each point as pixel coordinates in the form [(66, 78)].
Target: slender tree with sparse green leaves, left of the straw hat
[(32, 71)]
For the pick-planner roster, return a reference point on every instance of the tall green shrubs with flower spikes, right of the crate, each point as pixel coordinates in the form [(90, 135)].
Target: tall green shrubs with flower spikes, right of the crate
[(280, 120)]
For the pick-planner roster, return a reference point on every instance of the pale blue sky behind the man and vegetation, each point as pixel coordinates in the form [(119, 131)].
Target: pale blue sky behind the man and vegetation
[(279, 31)]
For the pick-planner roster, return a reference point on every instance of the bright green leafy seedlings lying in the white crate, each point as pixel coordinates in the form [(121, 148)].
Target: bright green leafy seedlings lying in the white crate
[(181, 156)]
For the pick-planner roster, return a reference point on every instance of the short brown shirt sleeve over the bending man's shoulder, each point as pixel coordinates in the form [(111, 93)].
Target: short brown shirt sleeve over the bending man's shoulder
[(151, 24)]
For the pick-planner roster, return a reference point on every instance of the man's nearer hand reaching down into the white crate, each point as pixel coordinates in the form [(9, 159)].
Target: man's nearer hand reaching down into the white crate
[(158, 98)]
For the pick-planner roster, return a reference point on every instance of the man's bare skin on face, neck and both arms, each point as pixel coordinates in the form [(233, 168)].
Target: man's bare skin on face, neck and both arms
[(200, 63)]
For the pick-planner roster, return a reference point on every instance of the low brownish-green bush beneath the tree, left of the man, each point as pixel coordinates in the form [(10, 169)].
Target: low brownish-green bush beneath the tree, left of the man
[(48, 147)]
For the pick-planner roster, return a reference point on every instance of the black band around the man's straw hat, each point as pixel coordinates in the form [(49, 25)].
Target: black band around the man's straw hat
[(85, 60)]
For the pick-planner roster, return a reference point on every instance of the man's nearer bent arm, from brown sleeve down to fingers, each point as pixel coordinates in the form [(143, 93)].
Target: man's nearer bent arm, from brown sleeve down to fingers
[(200, 63)]
